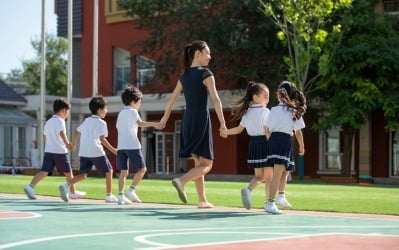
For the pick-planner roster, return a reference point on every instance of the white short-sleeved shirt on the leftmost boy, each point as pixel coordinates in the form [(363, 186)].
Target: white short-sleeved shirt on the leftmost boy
[(52, 129)]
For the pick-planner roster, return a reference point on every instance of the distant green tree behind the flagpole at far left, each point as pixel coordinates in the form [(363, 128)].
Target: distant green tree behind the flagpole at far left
[(56, 67)]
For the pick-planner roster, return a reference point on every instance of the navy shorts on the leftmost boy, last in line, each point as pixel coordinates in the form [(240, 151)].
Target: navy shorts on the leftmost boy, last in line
[(60, 161)]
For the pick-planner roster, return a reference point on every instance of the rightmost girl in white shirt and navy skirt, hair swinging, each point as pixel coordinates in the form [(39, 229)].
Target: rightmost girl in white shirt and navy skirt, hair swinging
[(284, 120)]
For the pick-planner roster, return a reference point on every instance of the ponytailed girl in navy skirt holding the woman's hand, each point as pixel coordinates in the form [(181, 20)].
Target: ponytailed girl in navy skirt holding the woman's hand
[(252, 112)]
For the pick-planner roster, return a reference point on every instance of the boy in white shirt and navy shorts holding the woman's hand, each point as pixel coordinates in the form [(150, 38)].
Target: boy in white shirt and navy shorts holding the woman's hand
[(129, 146)]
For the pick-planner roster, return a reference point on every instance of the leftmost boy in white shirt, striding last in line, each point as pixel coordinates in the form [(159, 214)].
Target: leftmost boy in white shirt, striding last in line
[(56, 150)]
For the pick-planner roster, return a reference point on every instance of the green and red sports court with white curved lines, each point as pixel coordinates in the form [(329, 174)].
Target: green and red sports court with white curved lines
[(49, 223)]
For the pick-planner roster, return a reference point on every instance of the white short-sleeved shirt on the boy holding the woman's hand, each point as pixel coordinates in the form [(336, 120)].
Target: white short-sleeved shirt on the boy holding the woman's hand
[(127, 127)]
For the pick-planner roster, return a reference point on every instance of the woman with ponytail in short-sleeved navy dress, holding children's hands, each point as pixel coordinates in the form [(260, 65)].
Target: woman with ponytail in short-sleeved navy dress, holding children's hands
[(197, 83)]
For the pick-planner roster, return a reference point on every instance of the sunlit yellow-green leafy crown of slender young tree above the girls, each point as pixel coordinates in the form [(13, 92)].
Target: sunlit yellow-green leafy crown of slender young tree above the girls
[(304, 27)]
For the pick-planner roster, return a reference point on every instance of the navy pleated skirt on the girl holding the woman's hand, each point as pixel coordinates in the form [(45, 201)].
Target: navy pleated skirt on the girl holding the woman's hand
[(257, 152)]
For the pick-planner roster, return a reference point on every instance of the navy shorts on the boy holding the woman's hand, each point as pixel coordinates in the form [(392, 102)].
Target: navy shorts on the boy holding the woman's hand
[(135, 157)]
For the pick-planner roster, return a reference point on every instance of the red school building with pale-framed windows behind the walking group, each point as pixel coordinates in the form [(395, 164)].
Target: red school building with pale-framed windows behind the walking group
[(375, 151)]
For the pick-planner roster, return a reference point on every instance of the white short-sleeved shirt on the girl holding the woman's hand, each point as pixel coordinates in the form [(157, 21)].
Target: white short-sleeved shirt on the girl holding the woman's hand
[(254, 120)]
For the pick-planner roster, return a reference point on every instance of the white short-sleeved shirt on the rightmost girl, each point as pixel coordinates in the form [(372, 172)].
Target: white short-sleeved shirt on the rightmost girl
[(280, 120)]
